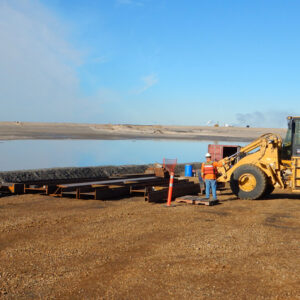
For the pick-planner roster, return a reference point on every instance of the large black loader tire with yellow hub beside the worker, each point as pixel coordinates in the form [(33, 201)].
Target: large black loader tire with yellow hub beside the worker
[(248, 182)]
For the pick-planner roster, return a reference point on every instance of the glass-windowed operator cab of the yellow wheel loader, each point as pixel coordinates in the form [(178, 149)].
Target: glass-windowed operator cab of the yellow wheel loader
[(291, 144)]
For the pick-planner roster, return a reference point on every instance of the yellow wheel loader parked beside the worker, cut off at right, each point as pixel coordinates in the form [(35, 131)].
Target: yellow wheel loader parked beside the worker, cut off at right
[(266, 163)]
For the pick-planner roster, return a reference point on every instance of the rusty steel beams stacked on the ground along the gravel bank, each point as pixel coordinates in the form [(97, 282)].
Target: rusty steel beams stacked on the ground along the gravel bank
[(152, 188)]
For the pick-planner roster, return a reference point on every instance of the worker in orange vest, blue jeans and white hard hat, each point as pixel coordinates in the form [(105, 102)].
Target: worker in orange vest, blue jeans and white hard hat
[(209, 175)]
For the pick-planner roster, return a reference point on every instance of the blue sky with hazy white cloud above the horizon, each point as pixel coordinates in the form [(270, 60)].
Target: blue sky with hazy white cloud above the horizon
[(150, 61)]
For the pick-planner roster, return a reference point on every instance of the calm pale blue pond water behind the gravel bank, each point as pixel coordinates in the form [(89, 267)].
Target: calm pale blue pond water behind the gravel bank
[(33, 154)]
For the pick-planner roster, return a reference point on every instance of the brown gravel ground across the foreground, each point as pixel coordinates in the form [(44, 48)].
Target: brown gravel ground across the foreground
[(130, 249)]
